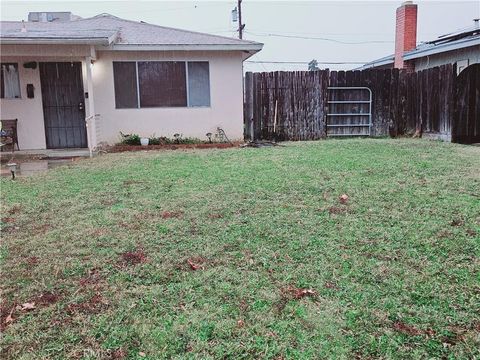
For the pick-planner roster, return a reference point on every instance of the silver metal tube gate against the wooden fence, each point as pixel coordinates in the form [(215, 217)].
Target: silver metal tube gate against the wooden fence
[(349, 111)]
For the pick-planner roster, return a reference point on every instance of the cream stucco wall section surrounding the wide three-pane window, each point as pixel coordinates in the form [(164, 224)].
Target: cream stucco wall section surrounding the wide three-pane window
[(226, 96)]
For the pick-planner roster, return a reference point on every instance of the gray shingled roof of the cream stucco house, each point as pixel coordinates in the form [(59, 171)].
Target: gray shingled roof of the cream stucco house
[(106, 29)]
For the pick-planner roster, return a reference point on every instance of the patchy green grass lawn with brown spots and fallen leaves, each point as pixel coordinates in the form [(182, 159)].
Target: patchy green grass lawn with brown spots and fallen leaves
[(247, 253)]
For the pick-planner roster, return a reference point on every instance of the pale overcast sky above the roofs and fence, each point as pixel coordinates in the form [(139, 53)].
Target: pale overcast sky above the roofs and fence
[(368, 26)]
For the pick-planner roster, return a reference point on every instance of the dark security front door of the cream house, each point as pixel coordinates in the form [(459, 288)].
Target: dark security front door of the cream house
[(63, 104)]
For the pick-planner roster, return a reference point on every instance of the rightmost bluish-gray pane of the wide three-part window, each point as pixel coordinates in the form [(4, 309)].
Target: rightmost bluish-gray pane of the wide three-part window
[(198, 84)]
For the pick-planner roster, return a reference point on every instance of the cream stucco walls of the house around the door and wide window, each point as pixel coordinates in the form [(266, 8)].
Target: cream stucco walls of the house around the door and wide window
[(226, 94)]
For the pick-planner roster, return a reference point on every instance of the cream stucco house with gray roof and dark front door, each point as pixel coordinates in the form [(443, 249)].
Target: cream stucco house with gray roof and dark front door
[(120, 75)]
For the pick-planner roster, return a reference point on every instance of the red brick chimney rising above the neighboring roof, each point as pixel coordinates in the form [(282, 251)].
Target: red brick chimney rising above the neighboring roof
[(405, 33)]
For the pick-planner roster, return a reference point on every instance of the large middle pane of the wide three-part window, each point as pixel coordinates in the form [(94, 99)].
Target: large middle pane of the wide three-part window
[(162, 83)]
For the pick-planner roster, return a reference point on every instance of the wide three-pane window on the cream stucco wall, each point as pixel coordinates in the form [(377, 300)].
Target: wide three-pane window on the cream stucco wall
[(161, 84)]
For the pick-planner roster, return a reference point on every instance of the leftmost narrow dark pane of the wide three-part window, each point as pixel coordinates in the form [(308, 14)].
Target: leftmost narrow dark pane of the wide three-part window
[(125, 82)]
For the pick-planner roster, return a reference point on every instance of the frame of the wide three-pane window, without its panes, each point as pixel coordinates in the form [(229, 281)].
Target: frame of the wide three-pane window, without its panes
[(188, 106)]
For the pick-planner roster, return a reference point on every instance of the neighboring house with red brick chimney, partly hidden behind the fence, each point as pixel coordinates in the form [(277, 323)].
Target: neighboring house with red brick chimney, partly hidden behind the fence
[(461, 47)]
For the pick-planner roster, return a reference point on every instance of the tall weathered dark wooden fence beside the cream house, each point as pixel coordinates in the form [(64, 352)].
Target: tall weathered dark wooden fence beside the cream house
[(295, 105)]
